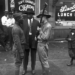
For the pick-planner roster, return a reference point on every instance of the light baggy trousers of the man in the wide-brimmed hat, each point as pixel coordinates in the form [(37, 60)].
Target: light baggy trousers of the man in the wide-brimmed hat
[(43, 55)]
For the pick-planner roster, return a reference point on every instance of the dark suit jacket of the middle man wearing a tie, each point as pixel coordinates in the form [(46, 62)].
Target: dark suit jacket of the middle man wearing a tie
[(25, 28)]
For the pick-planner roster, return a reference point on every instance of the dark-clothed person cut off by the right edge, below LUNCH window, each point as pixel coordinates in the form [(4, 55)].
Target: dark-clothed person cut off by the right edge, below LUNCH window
[(71, 45)]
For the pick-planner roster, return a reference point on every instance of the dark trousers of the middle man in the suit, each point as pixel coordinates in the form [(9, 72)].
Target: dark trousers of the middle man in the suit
[(26, 58)]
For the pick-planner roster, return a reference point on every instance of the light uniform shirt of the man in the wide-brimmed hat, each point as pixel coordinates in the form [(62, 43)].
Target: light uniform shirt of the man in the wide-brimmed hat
[(45, 31)]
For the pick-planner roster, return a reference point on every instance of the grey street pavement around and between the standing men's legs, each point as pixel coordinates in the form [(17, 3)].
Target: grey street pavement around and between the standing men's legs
[(58, 60)]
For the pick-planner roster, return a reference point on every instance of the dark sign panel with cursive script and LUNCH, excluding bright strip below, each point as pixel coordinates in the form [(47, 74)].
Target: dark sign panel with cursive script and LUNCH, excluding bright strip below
[(65, 12)]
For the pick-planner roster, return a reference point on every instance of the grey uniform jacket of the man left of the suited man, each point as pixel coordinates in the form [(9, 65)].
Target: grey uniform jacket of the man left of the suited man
[(18, 39)]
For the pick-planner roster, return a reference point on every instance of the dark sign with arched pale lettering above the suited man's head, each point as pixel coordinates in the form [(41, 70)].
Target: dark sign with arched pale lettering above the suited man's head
[(22, 6)]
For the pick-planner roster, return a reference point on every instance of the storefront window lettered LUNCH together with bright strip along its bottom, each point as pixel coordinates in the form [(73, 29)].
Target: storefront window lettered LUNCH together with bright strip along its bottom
[(65, 14)]
